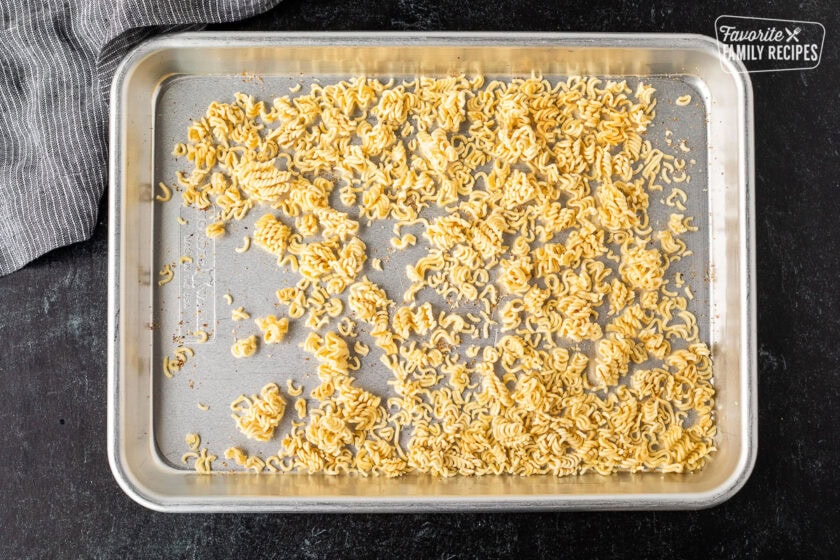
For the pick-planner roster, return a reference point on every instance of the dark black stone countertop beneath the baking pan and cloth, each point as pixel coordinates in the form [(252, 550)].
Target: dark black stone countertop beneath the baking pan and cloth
[(58, 495)]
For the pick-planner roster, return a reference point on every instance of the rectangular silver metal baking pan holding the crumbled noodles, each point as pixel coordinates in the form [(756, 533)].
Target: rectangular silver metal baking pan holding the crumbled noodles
[(167, 81)]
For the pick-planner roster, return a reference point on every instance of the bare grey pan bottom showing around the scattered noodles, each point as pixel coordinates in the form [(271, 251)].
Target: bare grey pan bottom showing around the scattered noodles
[(195, 298)]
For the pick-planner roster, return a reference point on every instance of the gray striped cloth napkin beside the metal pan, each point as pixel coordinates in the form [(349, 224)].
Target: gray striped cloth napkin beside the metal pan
[(57, 58)]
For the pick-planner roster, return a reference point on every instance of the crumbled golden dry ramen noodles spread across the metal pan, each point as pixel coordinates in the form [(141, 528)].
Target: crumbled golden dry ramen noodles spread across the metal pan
[(530, 202)]
